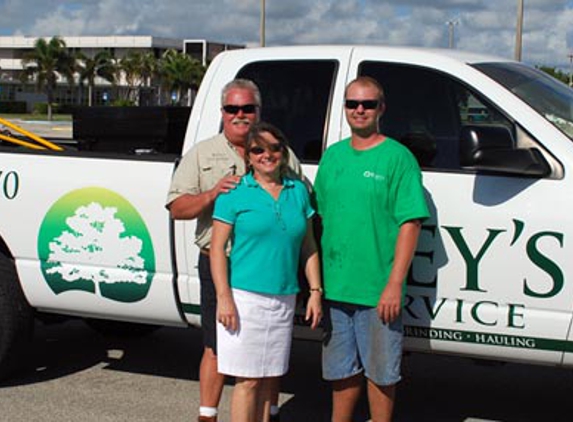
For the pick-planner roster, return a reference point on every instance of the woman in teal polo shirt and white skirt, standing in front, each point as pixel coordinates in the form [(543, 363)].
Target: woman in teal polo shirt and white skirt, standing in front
[(268, 217)]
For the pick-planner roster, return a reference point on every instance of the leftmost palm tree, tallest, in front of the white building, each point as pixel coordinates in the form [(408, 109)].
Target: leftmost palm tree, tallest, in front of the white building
[(47, 61)]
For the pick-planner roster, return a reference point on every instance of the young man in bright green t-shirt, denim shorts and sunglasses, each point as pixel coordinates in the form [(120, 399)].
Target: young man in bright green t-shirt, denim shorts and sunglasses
[(370, 197)]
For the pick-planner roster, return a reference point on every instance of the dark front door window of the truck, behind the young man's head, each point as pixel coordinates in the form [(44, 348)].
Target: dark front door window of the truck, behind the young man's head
[(426, 110)]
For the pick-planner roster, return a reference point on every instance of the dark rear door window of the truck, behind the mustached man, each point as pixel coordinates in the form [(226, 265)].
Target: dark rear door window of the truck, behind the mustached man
[(296, 97)]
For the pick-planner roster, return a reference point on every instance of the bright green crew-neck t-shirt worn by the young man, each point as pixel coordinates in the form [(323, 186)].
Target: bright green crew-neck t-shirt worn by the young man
[(363, 198)]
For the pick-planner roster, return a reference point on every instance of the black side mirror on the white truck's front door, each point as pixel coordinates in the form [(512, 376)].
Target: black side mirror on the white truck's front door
[(492, 148)]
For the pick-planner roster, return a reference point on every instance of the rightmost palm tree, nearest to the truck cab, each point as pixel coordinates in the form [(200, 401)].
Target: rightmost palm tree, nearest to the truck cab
[(179, 73)]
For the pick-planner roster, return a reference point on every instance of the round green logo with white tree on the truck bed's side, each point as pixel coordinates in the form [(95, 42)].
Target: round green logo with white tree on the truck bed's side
[(93, 239)]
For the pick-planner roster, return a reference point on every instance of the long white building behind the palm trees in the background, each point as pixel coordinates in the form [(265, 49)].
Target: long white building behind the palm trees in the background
[(14, 48)]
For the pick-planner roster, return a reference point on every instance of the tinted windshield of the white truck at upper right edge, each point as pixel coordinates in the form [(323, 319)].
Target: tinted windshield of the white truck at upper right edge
[(549, 97)]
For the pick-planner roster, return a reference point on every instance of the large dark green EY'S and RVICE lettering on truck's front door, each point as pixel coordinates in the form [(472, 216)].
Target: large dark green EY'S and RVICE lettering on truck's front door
[(429, 308)]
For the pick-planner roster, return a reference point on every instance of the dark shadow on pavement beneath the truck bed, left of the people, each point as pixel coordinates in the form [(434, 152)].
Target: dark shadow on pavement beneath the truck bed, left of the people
[(65, 348)]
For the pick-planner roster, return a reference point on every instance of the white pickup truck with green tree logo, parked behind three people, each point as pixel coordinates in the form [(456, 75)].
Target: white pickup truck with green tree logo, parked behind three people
[(86, 233)]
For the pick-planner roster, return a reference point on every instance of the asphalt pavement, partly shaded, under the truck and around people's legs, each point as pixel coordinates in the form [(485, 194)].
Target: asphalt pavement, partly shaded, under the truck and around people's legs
[(77, 375)]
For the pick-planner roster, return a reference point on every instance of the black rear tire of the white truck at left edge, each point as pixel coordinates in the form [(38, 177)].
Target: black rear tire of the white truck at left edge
[(16, 320)]
